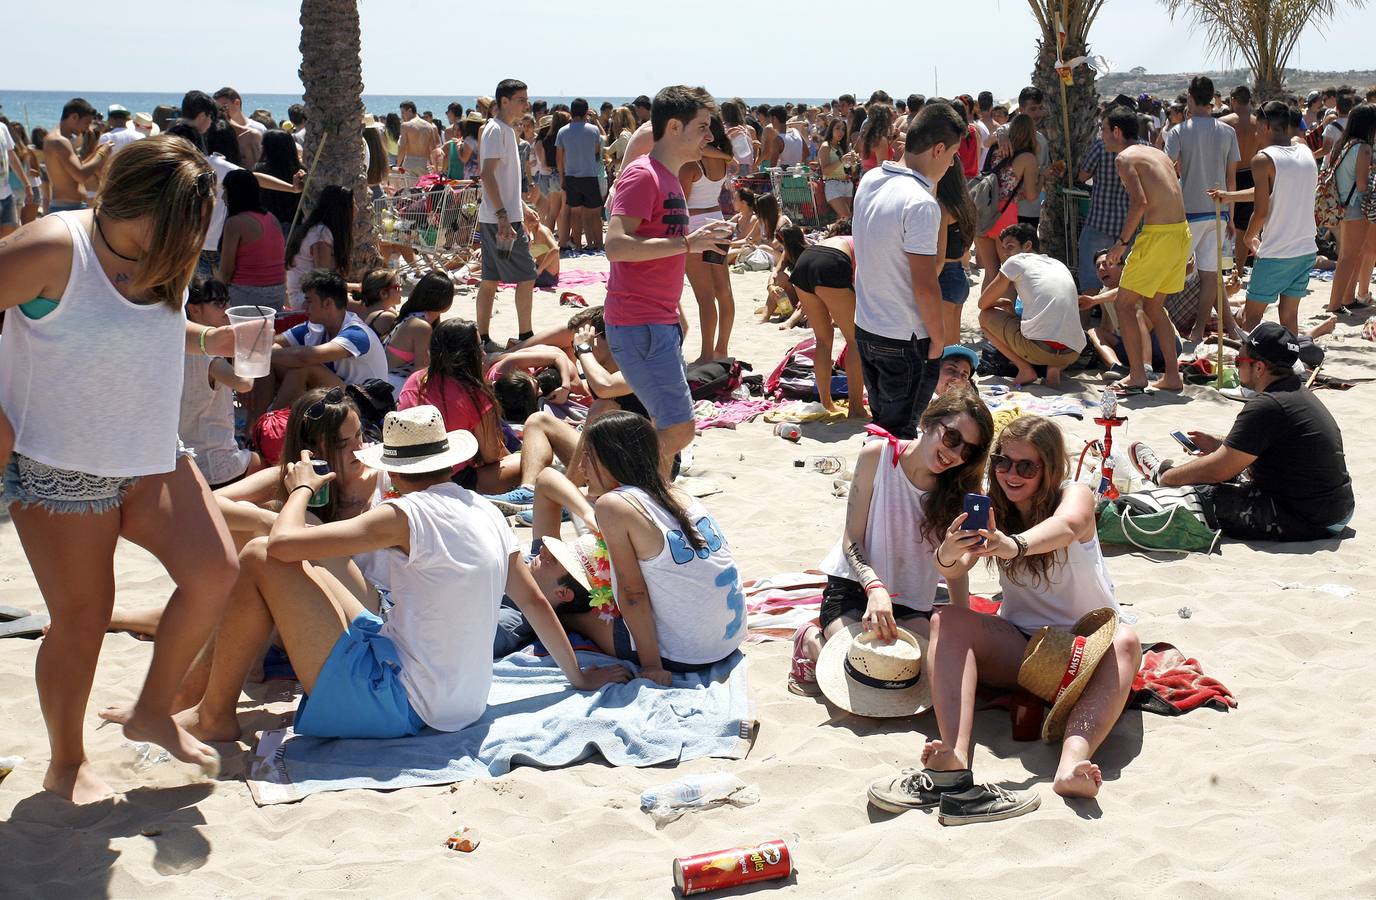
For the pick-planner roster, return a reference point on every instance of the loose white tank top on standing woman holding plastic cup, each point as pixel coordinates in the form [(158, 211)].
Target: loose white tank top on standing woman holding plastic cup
[(96, 386)]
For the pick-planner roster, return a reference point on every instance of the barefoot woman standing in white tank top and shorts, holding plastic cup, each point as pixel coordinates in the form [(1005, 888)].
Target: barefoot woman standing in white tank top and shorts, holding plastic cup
[(92, 378)]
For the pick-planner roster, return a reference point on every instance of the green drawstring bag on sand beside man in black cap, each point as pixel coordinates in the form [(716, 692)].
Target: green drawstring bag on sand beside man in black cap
[(1158, 519)]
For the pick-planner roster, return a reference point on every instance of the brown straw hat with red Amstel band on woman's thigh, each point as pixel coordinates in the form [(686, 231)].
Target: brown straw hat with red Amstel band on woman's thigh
[(1059, 664)]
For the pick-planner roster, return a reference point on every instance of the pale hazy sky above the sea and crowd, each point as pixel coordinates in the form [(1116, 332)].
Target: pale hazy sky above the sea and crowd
[(440, 47)]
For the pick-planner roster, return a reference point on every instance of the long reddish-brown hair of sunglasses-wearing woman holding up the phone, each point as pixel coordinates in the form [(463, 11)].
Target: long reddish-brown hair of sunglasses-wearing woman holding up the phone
[(1045, 438)]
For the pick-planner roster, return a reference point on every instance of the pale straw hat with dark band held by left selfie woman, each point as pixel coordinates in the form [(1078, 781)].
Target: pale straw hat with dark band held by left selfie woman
[(868, 678)]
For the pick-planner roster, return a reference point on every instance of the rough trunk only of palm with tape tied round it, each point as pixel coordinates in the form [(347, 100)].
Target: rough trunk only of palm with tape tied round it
[(1059, 229)]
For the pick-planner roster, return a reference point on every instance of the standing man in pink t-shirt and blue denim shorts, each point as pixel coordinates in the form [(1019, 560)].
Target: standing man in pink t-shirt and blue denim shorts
[(647, 244)]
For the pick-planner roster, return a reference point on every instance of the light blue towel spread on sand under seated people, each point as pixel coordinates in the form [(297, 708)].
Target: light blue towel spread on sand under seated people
[(533, 718)]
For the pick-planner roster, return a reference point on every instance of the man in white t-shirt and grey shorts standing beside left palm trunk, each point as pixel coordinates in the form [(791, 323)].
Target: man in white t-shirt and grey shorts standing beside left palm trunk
[(502, 214)]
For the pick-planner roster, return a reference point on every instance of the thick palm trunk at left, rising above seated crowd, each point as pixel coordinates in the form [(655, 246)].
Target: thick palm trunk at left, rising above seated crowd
[(332, 75)]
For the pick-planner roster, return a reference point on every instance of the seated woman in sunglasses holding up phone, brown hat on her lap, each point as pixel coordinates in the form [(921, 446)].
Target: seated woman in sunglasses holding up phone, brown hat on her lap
[(1042, 540)]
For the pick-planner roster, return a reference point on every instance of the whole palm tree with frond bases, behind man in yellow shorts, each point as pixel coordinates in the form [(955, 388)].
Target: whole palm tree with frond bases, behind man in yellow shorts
[(1073, 118)]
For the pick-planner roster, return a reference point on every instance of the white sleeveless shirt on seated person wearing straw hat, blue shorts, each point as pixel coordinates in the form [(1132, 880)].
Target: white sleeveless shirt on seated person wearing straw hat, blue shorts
[(447, 594)]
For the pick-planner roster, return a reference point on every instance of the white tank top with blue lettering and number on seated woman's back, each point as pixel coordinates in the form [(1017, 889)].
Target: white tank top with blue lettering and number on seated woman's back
[(696, 597)]
